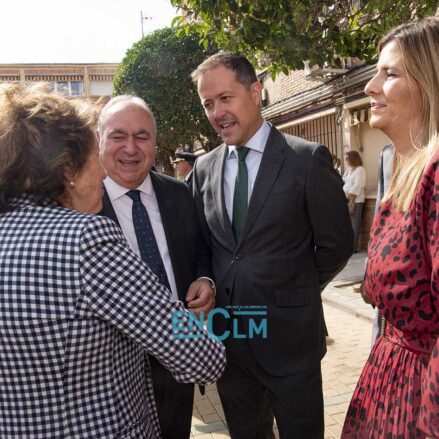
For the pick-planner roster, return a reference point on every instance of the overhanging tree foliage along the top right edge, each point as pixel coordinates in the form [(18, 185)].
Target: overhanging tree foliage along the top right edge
[(284, 33)]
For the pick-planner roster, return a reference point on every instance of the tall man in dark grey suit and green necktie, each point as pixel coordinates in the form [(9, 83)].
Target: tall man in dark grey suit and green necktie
[(274, 211)]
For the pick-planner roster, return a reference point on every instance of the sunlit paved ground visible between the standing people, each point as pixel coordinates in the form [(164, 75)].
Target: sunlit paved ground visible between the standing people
[(349, 322)]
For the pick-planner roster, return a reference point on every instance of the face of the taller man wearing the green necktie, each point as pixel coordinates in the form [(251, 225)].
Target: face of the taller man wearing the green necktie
[(232, 108)]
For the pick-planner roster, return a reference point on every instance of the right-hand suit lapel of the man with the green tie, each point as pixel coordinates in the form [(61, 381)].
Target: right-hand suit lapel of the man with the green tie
[(271, 163)]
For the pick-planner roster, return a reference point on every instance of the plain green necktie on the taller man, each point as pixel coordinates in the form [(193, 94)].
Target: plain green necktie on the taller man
[(240, 196)]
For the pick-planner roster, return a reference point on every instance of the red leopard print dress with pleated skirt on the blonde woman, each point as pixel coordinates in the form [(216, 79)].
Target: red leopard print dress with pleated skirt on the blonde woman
[(402, 277)]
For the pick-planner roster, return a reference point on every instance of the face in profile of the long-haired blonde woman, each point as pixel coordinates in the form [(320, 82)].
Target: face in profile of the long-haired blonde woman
[(395, 98)]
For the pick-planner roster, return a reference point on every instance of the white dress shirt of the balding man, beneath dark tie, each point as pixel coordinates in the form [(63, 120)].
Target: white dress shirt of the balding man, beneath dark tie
[(123, 205)]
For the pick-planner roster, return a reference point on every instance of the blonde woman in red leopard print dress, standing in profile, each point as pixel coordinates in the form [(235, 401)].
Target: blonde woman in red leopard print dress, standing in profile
[(402, 274)]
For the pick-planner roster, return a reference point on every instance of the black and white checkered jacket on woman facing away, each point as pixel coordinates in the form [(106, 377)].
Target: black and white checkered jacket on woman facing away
[(78, 310)]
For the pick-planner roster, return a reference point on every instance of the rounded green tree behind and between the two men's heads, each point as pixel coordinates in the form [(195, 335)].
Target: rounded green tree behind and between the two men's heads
[(157, 68)]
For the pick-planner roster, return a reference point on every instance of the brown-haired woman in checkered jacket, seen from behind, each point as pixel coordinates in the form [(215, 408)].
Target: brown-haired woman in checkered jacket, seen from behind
[(78, 309)]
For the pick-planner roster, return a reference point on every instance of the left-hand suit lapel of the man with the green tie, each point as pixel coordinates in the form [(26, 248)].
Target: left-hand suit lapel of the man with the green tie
[(217, 173)]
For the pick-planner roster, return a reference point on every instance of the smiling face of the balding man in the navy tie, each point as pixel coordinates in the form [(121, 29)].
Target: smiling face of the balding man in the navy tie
[(127, 144)]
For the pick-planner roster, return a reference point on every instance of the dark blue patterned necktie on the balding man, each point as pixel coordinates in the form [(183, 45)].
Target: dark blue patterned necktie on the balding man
[(149, 250)]
